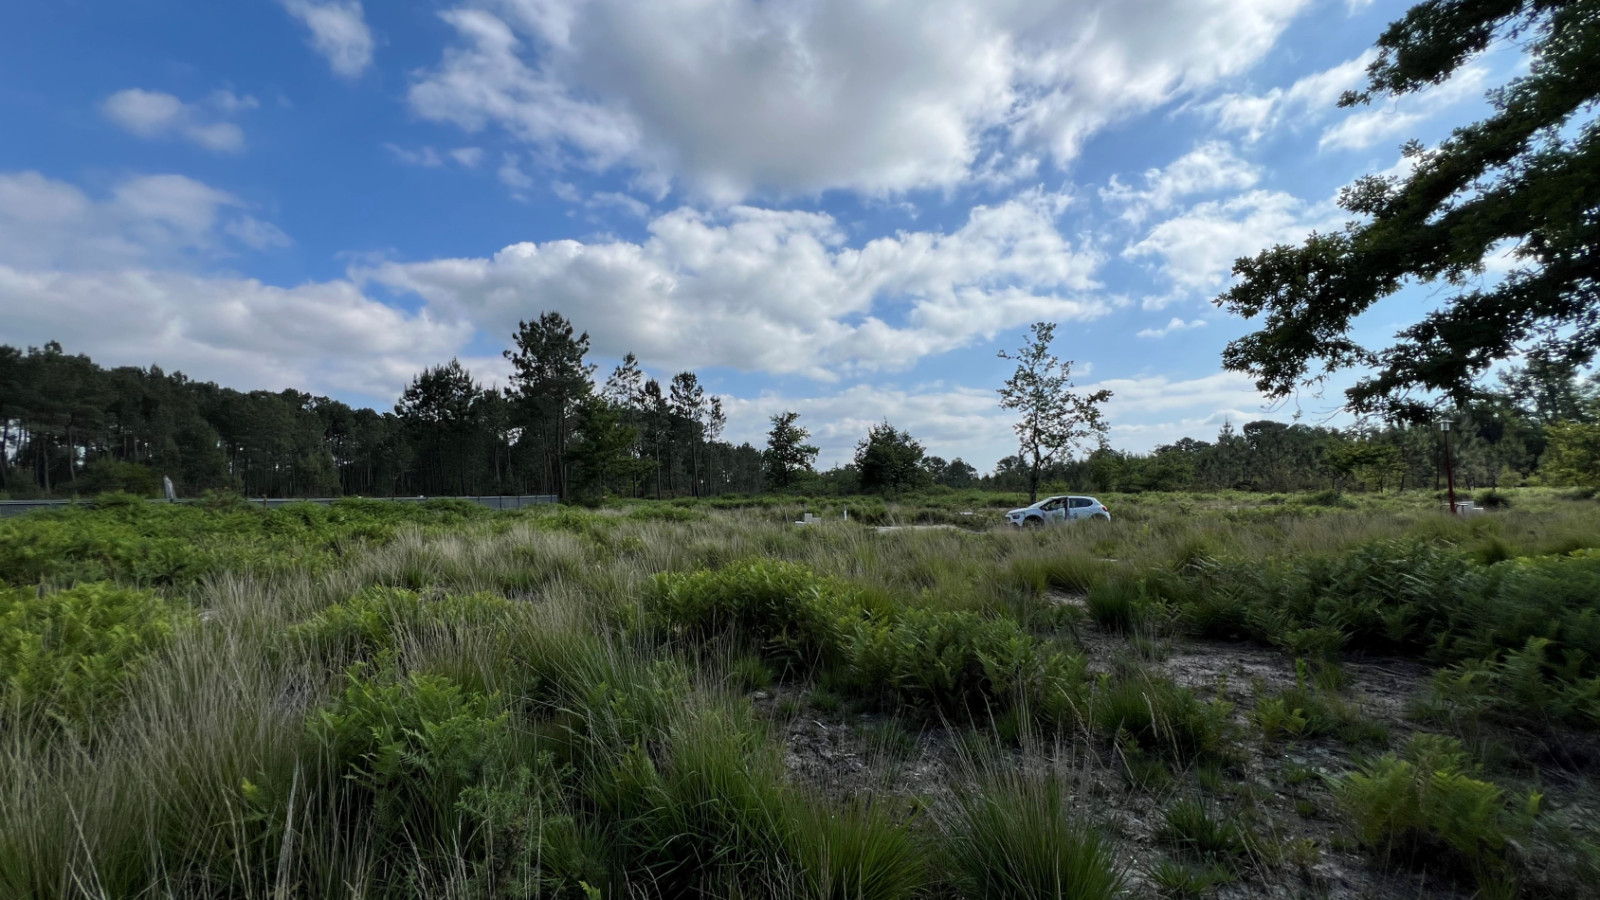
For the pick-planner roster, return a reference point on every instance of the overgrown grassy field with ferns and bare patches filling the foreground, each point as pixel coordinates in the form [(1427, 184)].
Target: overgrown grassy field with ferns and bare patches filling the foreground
[(1226, 696)]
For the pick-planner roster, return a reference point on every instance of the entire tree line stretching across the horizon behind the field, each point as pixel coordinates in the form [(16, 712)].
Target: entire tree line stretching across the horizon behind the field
[(71, 427)]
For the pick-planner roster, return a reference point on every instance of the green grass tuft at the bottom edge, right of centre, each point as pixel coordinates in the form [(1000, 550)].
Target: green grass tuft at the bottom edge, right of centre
[(1015, 837)]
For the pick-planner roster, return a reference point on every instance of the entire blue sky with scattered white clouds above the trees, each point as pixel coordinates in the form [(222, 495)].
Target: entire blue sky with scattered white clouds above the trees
[(836, 207)]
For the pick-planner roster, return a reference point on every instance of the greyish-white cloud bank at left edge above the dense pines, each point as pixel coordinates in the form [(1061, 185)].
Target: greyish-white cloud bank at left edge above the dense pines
[(110, 278)]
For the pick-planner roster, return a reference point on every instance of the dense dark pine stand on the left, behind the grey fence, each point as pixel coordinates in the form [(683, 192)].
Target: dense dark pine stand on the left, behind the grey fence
[(73, 427)]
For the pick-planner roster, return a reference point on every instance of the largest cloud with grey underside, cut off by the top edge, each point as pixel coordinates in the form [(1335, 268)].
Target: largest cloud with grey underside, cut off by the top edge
[(801, 97)]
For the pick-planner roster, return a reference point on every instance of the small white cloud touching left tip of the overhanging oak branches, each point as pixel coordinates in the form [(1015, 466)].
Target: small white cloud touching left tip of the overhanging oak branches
[(1196, 251)]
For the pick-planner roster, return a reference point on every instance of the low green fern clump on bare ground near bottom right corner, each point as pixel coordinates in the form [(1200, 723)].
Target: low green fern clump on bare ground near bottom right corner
[(1428, 803)]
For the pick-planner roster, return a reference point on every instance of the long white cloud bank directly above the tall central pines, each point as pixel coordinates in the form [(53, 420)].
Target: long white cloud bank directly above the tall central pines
[(780, 291)]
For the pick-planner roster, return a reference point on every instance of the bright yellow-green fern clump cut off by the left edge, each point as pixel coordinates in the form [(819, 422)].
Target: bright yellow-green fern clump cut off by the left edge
[(68, 654)]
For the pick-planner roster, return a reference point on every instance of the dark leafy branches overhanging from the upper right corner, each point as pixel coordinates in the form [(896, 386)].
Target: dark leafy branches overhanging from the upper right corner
[(1524, 177)]
